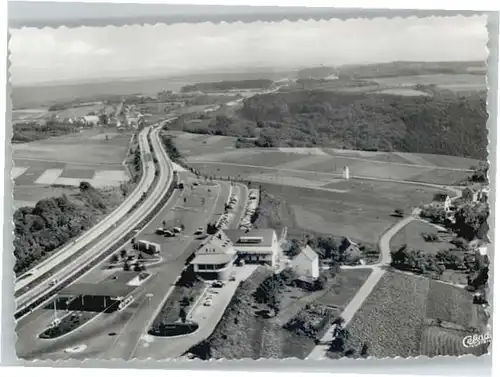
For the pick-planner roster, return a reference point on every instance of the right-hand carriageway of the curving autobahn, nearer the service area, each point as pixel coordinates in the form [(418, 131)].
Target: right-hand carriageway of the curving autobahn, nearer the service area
[(117, 230)]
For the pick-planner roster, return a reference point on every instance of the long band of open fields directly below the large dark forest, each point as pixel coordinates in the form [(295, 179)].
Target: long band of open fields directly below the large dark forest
[(326, 161)]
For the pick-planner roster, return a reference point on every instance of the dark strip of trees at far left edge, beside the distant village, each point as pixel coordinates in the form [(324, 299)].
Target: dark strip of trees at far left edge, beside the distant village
[(26, 132)]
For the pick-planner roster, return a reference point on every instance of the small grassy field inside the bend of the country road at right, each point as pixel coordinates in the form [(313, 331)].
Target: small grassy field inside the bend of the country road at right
[(411, 235)]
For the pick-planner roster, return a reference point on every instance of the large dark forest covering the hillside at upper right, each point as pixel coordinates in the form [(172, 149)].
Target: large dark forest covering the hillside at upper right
[(450, 125)]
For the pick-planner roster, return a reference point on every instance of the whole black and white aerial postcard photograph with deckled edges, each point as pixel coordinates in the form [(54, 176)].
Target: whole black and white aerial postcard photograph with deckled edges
[(310, 189)]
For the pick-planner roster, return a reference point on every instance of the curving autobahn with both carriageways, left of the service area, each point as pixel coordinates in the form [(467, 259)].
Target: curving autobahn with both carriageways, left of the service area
[(115, 232)]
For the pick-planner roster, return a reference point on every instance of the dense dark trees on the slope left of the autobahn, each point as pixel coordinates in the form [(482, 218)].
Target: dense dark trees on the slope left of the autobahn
[(52, 223)]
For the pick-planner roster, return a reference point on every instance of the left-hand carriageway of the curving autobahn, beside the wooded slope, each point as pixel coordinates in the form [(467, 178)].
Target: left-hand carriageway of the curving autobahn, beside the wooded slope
[(99, 229)]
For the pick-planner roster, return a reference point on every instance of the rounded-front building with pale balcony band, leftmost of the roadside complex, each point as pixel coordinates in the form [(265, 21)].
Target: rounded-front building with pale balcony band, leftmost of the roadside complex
[(215, 259)]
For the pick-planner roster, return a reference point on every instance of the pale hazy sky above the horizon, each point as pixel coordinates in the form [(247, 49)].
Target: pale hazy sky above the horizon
[(96, 53)]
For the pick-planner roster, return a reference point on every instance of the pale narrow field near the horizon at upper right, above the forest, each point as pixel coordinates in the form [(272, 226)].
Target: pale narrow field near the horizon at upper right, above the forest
[(446, 81)]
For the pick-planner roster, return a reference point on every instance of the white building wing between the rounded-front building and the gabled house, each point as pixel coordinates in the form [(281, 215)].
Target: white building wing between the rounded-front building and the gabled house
[(256, 245)]
